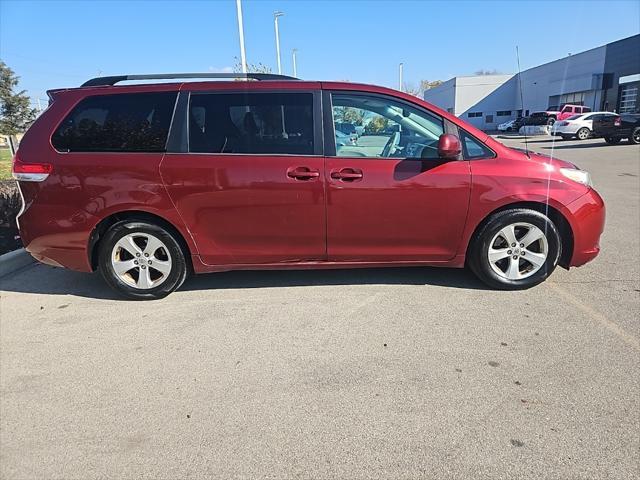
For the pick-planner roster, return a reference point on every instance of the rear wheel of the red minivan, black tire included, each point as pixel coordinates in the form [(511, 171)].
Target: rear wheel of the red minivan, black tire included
[(144, 247)]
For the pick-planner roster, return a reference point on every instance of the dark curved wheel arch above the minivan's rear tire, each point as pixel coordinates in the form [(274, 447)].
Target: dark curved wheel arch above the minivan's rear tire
[(101, 228)]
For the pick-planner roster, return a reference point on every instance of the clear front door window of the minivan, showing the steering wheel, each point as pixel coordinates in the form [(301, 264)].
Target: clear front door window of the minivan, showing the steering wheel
[(382, 127)]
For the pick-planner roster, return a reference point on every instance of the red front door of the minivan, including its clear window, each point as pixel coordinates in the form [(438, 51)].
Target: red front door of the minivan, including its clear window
[(389, 196)]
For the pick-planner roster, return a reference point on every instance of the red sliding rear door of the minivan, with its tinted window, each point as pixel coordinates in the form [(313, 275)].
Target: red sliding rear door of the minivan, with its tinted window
[(250, 184)]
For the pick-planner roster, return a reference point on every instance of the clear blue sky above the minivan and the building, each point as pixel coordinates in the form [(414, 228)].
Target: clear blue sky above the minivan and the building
[(62, 43)]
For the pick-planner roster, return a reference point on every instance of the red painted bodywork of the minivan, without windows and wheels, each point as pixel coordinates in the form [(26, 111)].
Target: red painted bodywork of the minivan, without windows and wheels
[(265, 211)]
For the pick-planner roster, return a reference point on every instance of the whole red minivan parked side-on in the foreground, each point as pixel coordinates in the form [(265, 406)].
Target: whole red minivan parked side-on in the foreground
[(151, 182)]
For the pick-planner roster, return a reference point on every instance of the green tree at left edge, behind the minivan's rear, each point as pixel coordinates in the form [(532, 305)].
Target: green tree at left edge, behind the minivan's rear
[(16, 113)]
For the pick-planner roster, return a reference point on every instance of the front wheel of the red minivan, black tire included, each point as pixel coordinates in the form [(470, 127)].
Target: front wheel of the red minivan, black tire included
[(501, 274)]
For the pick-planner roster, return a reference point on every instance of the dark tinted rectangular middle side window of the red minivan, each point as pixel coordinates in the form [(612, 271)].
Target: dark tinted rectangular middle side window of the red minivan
[(251, 123)]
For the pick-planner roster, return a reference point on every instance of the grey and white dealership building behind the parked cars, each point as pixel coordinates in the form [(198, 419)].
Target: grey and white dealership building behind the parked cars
[(603, 78)]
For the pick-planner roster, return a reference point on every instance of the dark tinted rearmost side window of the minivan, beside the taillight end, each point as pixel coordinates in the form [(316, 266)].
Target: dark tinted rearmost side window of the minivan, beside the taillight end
[(131, 122)]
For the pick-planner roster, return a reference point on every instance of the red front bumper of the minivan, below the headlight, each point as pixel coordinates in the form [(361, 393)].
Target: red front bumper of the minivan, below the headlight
[(587, 219)]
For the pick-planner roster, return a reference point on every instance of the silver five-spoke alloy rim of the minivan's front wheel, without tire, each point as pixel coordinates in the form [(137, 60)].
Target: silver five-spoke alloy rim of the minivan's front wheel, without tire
[(518, 251)]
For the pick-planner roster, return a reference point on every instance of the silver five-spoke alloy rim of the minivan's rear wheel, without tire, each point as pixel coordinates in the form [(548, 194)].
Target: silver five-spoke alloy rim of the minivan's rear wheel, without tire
[(141, 260)]
